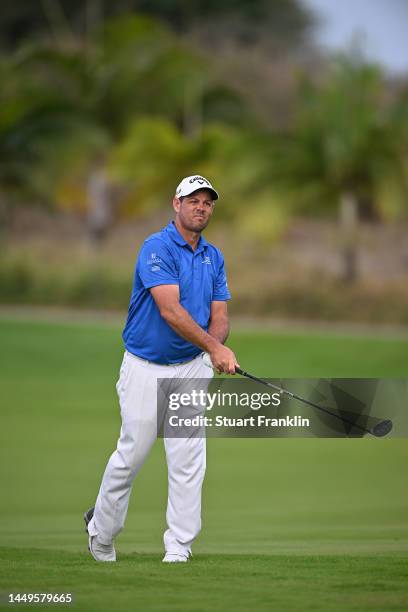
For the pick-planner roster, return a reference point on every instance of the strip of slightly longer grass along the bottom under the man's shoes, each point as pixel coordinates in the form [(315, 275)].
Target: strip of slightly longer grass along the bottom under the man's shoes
[(216, 582)]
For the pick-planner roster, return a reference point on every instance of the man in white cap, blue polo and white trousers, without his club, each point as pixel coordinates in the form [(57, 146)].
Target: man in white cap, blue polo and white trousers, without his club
[(177, 314)]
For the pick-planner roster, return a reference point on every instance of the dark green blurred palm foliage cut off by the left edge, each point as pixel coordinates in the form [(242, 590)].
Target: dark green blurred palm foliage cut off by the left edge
[(31, 121)]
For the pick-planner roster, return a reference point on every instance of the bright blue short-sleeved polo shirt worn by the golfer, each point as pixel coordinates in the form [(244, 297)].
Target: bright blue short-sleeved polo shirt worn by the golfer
[(167, 259)]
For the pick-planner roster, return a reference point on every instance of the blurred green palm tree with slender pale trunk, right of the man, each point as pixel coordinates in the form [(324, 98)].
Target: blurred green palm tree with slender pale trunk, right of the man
[(344, 142)]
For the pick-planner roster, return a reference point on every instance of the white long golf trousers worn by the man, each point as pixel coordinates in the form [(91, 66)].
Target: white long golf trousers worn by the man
[(186, 457)]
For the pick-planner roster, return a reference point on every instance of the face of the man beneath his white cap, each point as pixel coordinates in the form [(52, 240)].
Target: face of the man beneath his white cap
[(194, 211)]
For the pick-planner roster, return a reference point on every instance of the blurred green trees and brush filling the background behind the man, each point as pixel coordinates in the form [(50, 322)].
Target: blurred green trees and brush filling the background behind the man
[(104, 109)]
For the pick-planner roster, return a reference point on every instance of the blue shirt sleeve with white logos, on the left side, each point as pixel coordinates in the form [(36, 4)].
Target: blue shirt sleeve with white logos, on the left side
[(156, 265)]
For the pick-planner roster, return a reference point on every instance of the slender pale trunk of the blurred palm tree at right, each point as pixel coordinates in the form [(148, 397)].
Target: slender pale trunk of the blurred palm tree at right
[(348, 236)]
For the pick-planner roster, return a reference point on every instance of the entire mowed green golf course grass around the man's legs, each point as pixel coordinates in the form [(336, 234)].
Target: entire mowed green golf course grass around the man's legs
[(317, 524)]
